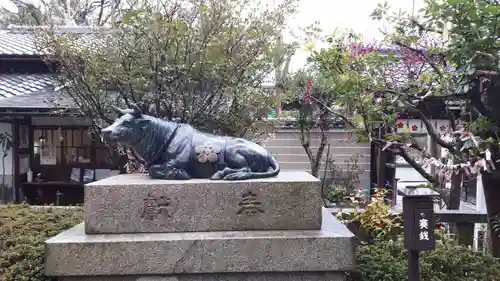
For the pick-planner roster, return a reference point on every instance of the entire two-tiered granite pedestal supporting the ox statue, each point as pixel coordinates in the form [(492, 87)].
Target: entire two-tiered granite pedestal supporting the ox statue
[(251, 243)]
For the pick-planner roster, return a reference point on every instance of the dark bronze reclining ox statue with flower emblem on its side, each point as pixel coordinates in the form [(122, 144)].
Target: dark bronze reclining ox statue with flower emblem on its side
[(177, 151)]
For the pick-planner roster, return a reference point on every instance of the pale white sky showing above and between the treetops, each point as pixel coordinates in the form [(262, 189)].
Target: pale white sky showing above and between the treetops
[(330, 14)]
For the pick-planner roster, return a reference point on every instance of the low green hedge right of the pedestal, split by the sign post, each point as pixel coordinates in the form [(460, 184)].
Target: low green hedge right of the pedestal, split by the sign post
[(387, 261)]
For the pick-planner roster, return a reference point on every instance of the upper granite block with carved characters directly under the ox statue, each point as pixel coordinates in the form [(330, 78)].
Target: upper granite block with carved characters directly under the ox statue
[(135, 203)]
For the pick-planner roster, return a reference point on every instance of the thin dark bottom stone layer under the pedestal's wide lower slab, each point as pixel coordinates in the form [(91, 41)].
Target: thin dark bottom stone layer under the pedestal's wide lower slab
[(294, 276)]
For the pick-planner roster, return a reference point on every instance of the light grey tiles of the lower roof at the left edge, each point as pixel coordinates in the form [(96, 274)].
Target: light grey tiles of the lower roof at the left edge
[(20, 84)]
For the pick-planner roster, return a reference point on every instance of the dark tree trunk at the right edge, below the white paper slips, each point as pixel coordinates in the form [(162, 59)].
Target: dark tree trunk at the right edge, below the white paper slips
[(491, 186)]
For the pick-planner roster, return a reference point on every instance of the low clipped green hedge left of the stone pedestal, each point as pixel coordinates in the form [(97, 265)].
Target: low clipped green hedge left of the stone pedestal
[(22, 235)]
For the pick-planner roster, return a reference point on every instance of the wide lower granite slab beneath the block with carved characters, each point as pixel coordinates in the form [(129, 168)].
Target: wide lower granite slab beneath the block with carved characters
[(74, 253)]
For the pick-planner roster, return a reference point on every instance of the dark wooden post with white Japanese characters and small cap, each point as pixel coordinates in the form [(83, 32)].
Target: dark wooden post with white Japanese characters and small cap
[(418, 220)]
